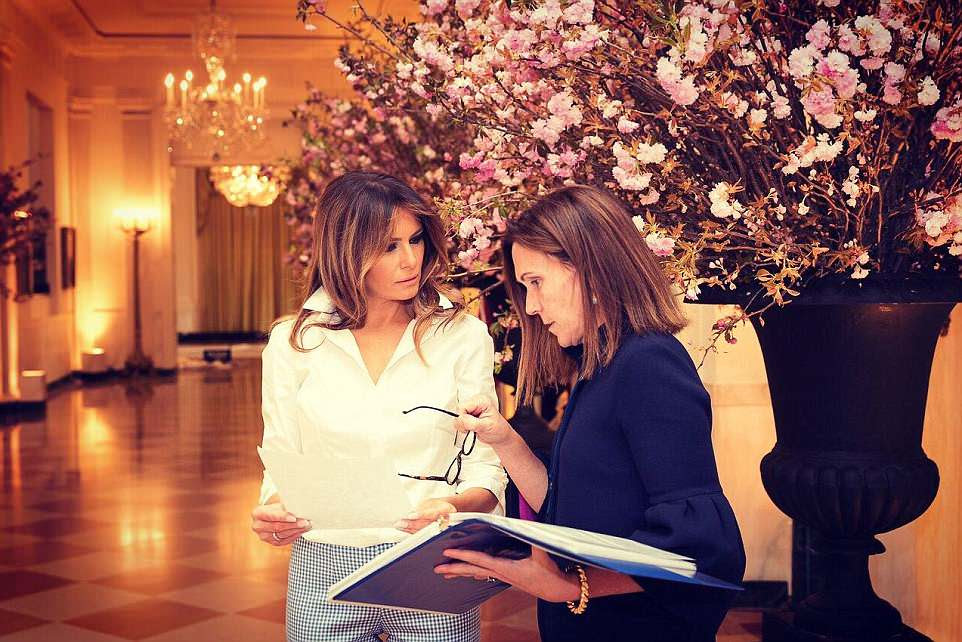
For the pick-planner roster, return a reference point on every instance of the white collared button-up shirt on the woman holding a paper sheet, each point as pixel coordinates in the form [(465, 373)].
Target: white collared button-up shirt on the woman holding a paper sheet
[(324, 400)]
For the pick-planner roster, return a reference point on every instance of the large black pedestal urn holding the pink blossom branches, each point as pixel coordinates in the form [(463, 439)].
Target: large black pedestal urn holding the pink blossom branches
[(848, 371)]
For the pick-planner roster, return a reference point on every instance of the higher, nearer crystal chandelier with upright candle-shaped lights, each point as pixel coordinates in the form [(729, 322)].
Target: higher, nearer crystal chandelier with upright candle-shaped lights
[(212, 118)]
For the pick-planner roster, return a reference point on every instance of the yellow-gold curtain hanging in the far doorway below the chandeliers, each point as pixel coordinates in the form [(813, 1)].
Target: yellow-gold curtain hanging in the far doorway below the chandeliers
[(244, 283)]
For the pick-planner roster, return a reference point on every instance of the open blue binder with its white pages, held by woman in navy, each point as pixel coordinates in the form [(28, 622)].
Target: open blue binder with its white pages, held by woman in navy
[(403, 577)]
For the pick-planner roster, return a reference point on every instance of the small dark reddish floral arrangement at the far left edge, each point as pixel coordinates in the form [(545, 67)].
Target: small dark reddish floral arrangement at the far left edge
[(21, 224)]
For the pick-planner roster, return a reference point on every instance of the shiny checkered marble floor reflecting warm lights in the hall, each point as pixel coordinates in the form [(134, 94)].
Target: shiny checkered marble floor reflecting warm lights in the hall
[(124, 515)]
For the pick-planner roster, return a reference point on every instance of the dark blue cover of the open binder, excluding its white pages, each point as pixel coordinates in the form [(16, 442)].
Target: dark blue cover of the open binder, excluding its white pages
[(409, 581)]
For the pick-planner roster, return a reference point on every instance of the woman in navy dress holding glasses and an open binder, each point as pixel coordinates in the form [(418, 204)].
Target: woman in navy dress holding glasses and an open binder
[(633, 456)]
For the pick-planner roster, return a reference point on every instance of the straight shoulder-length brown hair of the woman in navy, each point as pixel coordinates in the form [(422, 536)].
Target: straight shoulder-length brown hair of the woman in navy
[(590, 231)]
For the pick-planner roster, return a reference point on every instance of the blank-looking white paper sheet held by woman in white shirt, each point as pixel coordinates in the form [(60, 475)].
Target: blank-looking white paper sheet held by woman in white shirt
[(336, 493)]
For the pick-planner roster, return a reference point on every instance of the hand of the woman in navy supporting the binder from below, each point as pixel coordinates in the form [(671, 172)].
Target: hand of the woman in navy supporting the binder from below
[(537, 575)]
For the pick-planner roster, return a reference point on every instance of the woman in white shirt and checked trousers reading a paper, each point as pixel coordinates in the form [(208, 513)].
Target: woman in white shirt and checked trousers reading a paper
[(378, 355)]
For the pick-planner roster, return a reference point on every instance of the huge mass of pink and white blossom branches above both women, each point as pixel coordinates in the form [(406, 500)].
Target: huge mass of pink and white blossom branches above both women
[(762, 144)]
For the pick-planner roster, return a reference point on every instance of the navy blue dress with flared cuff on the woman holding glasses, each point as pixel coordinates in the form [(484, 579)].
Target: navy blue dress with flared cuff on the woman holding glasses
[(633, 458)]
